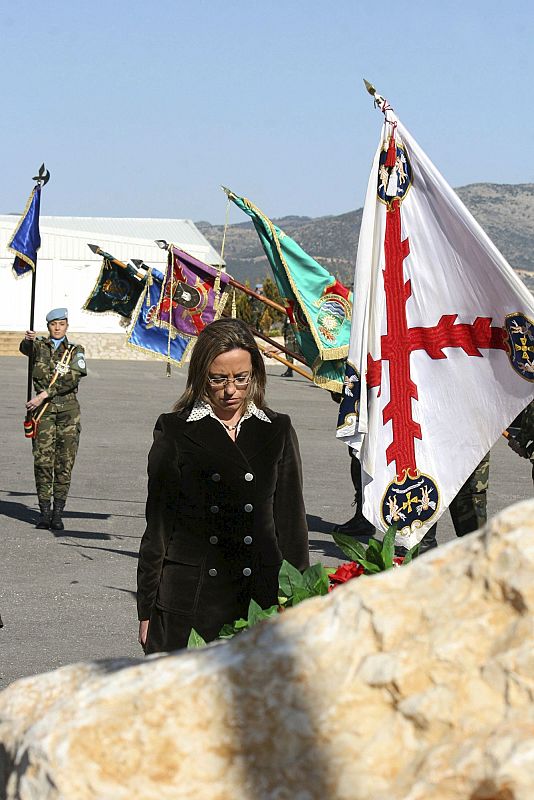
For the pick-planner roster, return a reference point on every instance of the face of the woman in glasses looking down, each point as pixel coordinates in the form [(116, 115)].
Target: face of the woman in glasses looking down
[(229, 399)]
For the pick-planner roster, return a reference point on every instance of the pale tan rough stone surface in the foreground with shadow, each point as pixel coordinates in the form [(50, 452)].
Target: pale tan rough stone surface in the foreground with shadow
[(416, 684)]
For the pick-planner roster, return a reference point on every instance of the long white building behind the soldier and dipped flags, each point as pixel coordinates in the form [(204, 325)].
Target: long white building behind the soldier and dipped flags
[(67, 269)]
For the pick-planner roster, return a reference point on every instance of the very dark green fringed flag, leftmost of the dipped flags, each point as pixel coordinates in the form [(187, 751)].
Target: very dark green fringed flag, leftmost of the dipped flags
[(116, 290)]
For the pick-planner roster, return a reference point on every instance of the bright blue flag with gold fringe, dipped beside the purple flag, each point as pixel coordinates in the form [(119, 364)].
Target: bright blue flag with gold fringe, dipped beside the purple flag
[(146, 334)]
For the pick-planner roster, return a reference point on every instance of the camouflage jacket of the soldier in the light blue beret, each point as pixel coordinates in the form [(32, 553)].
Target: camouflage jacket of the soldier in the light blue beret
[(45, 358)]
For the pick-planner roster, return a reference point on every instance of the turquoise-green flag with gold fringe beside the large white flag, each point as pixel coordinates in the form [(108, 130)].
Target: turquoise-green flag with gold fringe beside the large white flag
[(319, 306)]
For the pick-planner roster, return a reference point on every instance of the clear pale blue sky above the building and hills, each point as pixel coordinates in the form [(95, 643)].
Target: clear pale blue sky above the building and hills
[(145, 108)]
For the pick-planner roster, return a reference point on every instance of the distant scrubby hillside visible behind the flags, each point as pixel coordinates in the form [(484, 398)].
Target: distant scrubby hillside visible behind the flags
[(506, 212)]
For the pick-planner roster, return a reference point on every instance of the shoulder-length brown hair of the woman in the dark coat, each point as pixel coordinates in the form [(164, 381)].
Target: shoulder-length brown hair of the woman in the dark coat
[(221, 337)]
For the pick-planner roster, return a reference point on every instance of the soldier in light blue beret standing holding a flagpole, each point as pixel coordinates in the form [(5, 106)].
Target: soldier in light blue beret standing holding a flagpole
[(58, 366)]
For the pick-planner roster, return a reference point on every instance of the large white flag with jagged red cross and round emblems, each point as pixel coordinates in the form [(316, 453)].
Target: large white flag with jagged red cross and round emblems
[(441, 356)]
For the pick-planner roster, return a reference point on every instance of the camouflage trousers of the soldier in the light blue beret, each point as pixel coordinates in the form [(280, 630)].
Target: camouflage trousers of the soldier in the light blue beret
[(54, 450)]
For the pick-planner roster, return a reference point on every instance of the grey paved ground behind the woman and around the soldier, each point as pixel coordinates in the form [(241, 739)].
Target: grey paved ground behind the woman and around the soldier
[(70, 596)]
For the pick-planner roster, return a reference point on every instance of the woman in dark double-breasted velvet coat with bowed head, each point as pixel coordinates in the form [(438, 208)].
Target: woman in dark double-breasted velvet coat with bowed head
[(225, 501)]
